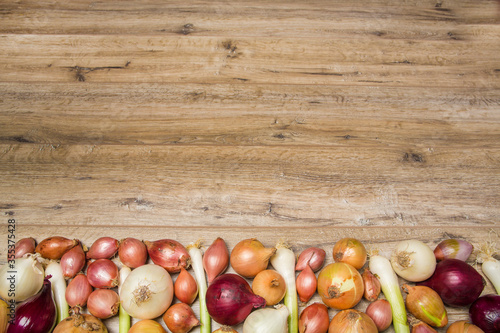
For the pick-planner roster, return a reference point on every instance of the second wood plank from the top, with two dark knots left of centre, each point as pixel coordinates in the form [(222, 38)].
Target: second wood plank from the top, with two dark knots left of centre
[(66, 58)]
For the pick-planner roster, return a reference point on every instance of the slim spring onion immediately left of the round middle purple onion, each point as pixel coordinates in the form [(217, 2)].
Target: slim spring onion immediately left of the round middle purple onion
[(199, 273)]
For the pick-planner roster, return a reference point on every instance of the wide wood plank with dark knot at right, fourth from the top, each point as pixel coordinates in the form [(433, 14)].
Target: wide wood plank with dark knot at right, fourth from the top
[(255, 185)]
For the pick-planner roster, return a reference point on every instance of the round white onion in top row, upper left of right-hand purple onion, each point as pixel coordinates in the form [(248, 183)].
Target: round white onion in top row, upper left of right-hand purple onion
[(413, 260)]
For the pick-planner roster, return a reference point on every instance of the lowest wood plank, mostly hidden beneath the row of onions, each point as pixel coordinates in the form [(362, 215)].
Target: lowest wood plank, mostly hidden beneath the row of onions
[(383, 239)]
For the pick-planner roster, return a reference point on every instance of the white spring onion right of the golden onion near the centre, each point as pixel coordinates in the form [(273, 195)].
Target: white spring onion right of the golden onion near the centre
[(284, 262)]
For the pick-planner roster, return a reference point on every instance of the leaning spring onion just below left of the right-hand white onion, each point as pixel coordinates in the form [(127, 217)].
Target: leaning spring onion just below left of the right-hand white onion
[(382, 269)]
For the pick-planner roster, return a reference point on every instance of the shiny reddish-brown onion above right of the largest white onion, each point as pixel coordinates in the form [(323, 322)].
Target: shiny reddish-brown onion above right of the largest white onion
[(169, 254)]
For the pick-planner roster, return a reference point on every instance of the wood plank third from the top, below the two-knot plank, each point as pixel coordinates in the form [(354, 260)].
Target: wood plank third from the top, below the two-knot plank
[(249, 115)]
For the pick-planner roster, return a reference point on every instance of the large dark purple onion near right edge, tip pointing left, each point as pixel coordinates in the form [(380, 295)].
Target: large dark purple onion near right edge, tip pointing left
[(456, 282)]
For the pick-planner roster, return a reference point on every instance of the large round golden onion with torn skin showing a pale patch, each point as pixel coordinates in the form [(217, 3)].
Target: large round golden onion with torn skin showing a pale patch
[(340, 286)]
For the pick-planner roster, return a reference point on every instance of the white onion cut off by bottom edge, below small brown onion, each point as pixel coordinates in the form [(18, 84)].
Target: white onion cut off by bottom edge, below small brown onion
[(267, 320)]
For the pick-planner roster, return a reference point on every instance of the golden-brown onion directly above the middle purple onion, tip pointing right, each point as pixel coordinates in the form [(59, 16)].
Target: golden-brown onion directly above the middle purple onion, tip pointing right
[(249, 257)]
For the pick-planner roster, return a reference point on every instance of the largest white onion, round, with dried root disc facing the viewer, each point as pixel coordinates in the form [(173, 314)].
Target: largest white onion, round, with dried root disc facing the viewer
[(147, 292)]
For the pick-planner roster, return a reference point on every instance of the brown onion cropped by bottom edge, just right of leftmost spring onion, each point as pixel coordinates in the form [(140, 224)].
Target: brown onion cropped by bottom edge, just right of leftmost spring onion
[(80, 323)]
